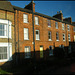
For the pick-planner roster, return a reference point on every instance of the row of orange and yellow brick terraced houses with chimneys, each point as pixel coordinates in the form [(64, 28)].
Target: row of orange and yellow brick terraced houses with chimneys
[(16, 32)]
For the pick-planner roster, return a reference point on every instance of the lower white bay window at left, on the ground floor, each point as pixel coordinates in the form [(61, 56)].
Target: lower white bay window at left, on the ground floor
[(5, 52)]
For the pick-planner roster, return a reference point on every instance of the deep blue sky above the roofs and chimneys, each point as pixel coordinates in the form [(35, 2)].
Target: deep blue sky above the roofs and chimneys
[(50, 8)]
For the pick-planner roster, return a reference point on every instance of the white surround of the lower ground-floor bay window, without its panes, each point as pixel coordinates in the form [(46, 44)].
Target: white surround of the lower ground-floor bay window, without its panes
[(9, 51)]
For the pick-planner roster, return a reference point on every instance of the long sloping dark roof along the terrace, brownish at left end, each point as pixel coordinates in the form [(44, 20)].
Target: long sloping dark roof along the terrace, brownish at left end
[(6, 5)]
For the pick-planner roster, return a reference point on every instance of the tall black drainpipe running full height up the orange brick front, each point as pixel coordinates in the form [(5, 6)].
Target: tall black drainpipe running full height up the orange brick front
[(33, 36)]
